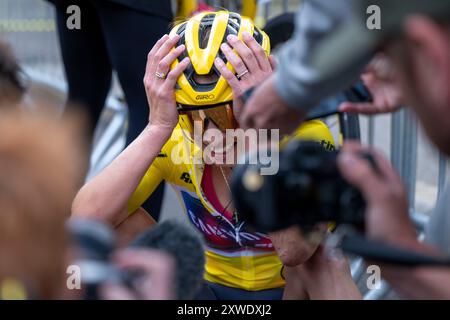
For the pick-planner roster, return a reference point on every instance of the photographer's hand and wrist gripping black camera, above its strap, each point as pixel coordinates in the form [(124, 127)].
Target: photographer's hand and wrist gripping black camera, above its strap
[(387, 207)]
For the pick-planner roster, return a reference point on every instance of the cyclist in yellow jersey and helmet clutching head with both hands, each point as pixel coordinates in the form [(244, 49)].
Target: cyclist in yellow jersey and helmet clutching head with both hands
[(207, 73)]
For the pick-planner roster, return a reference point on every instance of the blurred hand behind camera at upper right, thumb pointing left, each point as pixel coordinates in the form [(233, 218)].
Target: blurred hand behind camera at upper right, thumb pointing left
[(380, 80)]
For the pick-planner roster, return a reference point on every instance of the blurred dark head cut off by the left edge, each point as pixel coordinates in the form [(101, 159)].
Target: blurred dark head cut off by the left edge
[(12, 87)]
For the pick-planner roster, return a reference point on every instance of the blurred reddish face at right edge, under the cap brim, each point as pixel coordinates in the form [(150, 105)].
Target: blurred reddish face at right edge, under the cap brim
[(422, 56)]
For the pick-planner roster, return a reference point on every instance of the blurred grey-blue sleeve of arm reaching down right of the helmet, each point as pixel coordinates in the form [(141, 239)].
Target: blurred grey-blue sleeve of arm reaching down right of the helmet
[(299, 84)]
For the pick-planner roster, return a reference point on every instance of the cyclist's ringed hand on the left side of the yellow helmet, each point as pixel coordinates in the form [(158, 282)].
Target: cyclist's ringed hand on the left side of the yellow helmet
[(160, 90)]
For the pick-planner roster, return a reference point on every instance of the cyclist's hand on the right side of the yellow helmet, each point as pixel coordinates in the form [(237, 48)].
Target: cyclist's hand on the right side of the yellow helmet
[(251, 64)]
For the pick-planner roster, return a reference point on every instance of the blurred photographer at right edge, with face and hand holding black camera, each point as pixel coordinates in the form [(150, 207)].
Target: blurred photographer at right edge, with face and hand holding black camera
[(415, 36)]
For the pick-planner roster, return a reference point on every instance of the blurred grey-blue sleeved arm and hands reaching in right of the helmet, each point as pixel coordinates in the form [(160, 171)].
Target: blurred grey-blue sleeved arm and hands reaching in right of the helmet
[(284, 99)]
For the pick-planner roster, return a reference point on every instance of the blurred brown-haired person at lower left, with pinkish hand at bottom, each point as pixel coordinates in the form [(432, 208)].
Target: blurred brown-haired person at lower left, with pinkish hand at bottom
[(41, 165)]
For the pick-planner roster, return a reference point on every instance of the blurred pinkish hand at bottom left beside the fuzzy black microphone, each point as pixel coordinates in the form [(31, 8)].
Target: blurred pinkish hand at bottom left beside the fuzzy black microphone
[(156, 282)]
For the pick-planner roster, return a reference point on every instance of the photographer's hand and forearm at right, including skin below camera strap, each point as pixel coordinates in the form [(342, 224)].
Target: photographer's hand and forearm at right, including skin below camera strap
[(387, 221)]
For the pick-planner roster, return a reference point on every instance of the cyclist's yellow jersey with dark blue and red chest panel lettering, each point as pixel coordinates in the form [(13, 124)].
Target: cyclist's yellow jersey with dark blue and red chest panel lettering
[(235, 257)]
